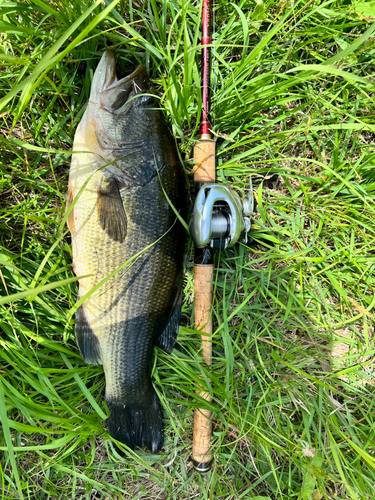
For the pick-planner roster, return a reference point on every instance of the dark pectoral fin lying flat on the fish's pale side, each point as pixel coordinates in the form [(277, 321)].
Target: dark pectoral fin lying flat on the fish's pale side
[(111, 213)]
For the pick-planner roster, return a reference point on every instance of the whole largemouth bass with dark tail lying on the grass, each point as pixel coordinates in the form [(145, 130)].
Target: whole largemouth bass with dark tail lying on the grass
[(120, 183)]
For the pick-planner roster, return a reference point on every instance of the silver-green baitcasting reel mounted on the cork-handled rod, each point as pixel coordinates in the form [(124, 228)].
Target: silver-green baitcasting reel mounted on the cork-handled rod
[(219, 216)]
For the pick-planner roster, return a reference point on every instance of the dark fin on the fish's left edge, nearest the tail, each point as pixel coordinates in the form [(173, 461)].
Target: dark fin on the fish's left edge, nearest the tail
[(87, 341)]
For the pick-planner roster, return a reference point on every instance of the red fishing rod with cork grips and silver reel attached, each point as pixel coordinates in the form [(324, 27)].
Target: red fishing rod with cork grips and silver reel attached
[(218, 219)]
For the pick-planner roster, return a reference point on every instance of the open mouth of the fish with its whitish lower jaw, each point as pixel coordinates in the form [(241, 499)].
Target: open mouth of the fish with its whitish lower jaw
[(105, 76)]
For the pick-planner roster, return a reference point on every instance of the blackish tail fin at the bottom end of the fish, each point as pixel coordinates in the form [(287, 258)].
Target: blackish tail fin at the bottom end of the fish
[(136, 424)]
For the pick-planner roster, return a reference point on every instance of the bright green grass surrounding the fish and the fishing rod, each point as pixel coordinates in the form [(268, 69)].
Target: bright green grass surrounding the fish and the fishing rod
[(292, 377)]
